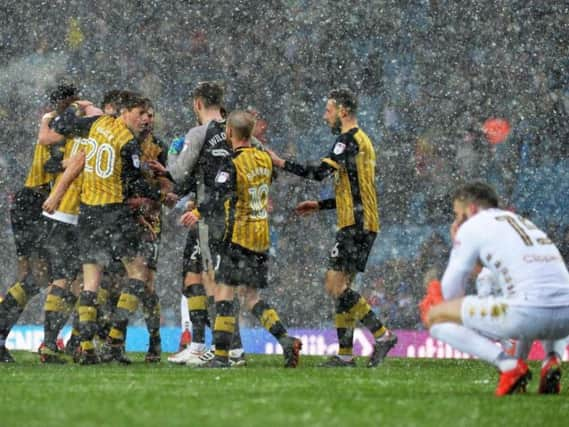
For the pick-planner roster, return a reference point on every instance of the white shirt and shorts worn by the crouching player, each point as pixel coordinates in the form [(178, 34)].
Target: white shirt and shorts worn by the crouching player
[(528, 273)]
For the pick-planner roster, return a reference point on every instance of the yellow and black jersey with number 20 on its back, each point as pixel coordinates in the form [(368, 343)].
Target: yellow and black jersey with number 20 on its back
[(112, 171)]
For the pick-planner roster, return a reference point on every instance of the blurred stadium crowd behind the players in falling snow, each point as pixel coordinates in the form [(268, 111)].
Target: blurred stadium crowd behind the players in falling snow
[(429, 73)]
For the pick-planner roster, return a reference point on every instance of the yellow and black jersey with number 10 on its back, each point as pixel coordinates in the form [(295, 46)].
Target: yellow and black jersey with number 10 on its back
[(244, 186)]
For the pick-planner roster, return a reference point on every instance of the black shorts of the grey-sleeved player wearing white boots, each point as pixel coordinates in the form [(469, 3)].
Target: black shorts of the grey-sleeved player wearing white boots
[(201, 253)]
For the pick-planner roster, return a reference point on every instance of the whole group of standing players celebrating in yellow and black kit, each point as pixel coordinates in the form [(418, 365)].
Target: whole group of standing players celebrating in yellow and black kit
[(93, 198)]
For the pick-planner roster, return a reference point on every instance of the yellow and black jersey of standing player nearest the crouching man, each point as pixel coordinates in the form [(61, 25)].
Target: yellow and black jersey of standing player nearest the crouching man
[(352, 161)]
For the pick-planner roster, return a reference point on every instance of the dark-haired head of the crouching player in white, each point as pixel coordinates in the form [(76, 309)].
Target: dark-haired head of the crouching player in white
[(470, 198)]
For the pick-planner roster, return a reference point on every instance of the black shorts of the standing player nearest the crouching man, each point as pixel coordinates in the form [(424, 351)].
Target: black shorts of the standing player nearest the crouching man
[(351, 250)]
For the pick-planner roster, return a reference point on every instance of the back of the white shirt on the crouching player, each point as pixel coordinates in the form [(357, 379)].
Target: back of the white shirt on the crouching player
[(528, 265)]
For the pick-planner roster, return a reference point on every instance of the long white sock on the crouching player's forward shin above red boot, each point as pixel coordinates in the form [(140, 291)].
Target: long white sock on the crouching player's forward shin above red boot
[(468, 341)]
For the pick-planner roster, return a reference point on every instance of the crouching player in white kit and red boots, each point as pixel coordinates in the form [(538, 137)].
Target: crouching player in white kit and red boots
[(535, 290)]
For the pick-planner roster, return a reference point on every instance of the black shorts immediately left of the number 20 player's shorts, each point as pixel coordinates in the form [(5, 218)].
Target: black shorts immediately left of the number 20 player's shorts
[(62, 245)]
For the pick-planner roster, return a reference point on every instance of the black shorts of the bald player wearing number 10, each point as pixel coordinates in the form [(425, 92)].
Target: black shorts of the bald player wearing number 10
[(241, 267)]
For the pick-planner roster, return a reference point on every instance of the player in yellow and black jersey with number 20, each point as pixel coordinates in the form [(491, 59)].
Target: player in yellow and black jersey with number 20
[(107, 228)]
